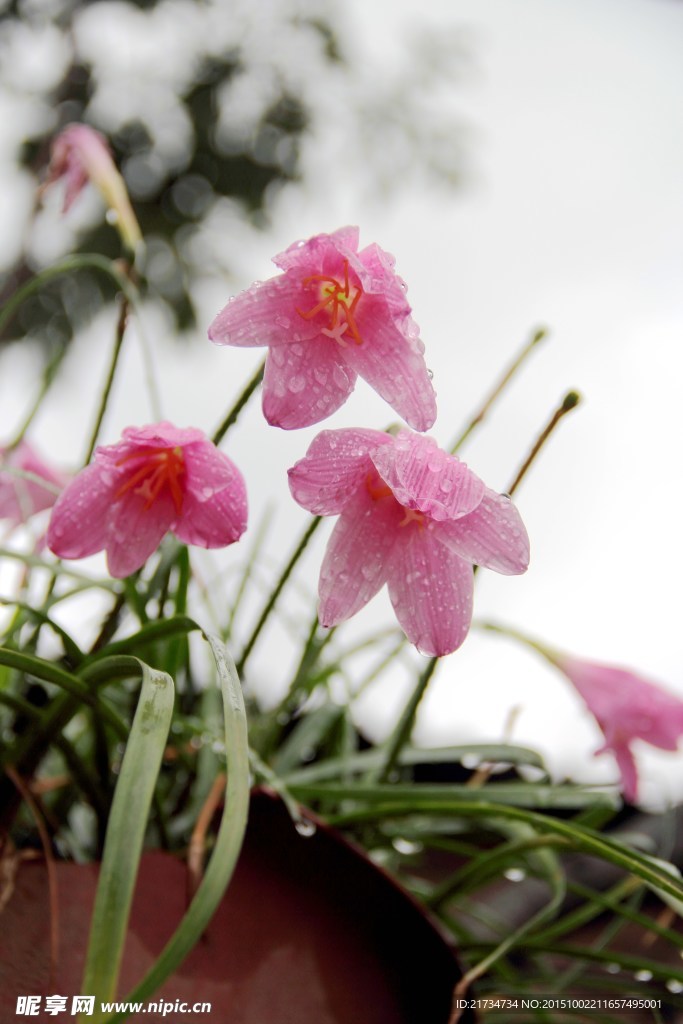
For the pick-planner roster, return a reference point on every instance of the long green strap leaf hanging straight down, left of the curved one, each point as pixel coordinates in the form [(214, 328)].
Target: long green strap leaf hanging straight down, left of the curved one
[(125, 834)]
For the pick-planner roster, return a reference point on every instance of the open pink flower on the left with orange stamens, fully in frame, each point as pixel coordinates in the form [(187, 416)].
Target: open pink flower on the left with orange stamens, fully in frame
[(158, 479)]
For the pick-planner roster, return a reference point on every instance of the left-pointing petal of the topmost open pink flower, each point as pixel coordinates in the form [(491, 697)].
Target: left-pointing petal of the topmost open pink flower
[(265, 315)]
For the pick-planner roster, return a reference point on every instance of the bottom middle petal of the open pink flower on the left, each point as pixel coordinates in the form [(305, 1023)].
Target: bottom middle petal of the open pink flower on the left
[(135, 532)]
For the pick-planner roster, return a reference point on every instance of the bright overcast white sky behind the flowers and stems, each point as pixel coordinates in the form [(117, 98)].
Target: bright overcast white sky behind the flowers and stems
[(573, 219)]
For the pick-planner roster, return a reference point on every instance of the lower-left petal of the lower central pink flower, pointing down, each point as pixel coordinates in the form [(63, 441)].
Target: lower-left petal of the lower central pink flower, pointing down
[(356, 562)]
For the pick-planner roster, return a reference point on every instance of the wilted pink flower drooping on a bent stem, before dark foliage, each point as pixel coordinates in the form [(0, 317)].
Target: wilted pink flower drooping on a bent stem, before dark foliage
[(80, 155)]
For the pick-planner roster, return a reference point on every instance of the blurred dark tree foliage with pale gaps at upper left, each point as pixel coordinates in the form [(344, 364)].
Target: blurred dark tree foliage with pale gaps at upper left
[(209, 107)]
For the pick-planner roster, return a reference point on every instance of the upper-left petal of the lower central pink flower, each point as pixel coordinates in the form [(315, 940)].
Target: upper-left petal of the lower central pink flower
[(333, 470)]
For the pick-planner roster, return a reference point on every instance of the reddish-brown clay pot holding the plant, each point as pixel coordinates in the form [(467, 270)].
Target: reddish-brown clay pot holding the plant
[(310, 932)]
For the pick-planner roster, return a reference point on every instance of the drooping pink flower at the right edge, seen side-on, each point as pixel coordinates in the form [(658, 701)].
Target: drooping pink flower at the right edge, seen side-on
[(627, 708)]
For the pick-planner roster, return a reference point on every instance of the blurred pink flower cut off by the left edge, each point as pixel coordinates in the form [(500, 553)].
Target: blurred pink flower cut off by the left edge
[(22, 497)]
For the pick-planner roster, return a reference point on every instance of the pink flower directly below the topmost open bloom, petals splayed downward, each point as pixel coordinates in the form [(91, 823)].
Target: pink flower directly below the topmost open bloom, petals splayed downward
[(411, 517)]
